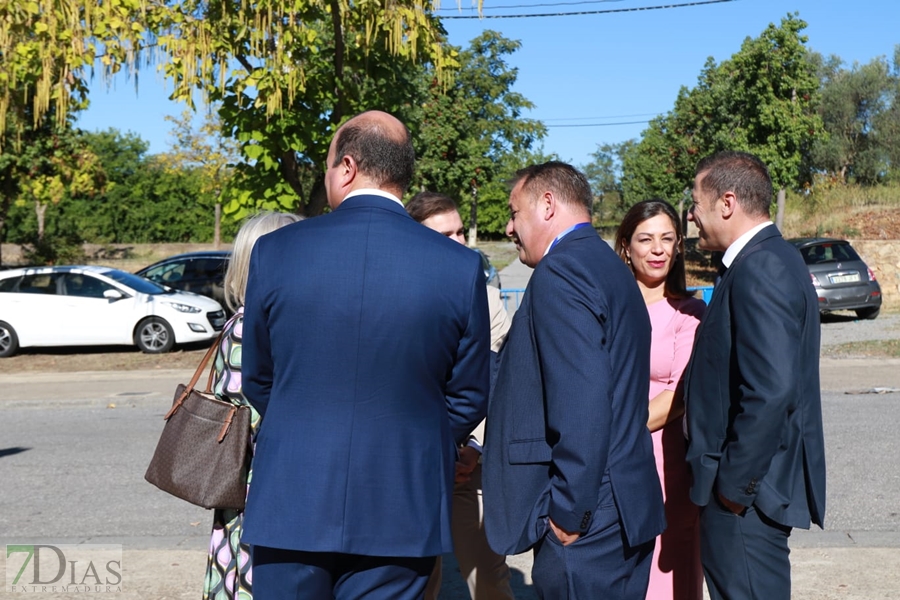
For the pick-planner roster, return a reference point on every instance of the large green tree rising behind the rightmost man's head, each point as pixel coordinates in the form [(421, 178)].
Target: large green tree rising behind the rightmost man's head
[(762, 100)]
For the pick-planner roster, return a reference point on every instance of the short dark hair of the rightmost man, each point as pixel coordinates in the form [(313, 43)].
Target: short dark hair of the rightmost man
[(741, 173)]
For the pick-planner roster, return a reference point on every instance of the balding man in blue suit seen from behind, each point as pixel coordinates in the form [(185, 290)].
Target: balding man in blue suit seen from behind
[(366, 352)]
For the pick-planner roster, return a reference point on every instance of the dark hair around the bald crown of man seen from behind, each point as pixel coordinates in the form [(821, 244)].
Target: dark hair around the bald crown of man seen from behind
[(378, 155)]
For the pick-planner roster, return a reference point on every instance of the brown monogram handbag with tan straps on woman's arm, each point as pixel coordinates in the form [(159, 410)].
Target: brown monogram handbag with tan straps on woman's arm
[(202, 454)]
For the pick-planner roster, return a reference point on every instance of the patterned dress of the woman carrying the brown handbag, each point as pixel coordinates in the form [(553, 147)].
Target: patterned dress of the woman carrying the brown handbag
[(228, 569)]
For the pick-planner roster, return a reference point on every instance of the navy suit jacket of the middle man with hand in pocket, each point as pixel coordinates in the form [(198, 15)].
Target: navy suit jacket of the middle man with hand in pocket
[(567, 425)]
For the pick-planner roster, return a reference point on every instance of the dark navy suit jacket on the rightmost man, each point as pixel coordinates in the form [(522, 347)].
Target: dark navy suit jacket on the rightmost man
[(754, 413)]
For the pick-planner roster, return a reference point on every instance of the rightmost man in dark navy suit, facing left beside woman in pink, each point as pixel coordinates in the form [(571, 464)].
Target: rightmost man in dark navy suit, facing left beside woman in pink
[(752, 401)]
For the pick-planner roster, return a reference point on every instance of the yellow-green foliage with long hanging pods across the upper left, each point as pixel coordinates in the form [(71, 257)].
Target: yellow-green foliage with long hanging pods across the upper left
[(49, 47)]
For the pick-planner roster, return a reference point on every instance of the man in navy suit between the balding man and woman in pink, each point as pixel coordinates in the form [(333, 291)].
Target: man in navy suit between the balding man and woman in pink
[(568, 465)]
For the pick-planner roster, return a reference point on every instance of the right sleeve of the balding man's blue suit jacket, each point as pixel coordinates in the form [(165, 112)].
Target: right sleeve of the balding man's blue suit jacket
[(467, 387)]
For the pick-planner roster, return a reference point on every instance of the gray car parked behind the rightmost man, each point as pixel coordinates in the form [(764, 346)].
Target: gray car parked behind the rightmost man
[(841, 278)]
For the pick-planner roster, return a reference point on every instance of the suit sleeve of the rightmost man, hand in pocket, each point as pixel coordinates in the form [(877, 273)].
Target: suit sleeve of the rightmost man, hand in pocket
[(767, 308)]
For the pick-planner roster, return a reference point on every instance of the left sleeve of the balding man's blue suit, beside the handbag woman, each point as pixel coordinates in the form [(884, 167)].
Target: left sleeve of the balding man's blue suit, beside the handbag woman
[(256, 353)]
